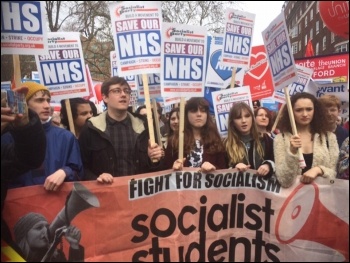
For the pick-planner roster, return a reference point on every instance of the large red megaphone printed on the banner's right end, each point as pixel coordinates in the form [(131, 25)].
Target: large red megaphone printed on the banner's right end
[(311, 221)]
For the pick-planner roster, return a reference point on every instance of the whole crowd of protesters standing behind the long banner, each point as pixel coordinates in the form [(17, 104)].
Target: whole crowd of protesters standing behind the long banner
[(100, 146)]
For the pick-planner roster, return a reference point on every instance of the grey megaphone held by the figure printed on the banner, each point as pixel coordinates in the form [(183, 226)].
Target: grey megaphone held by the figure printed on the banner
[(79, 199)]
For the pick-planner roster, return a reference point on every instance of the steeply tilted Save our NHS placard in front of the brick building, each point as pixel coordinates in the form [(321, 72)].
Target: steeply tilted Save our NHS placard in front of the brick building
[(279, 53)]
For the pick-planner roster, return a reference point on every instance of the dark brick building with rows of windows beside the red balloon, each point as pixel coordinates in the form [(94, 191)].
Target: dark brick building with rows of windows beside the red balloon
[(304, 22)]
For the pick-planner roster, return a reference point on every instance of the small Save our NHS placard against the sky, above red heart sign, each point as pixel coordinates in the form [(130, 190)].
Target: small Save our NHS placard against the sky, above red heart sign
[(238, 36)]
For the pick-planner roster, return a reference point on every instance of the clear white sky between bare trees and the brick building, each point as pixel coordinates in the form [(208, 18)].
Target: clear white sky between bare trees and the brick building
[(265, 12)]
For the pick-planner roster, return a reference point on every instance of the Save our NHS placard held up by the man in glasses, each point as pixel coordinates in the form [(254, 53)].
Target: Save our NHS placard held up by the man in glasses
[(137, 39)]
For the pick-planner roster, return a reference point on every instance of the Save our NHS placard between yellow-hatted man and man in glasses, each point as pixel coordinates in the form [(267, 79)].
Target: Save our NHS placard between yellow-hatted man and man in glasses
[(62, 69)]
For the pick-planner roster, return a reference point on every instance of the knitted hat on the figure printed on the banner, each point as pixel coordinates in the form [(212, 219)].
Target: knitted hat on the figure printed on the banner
[(25, 223)]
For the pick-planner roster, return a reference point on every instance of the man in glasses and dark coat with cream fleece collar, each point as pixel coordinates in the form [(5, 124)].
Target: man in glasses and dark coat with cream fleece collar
[(116, 142)]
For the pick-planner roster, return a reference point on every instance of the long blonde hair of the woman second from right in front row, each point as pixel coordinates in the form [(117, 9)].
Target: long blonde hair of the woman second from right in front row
[(234, 147)]
